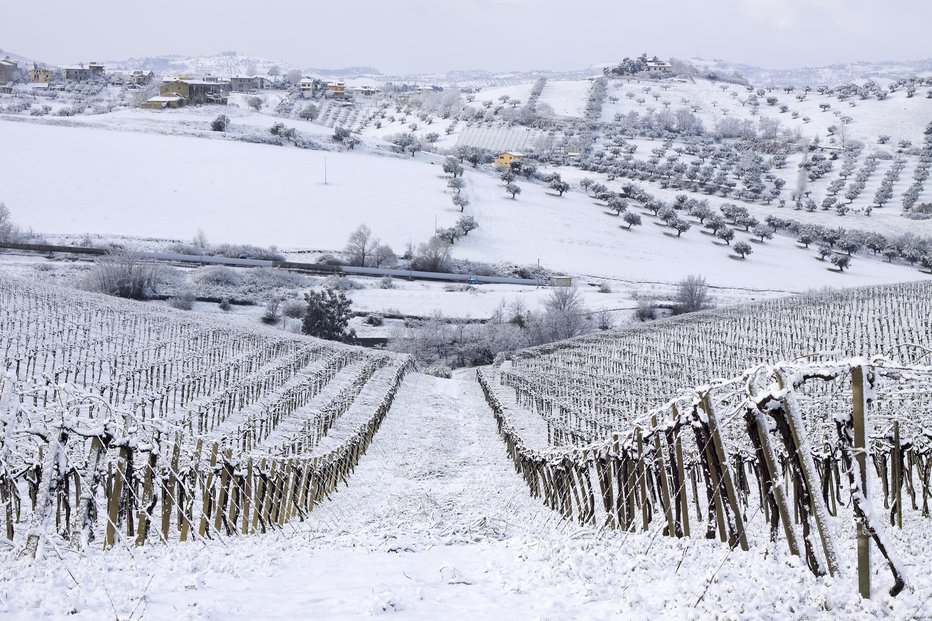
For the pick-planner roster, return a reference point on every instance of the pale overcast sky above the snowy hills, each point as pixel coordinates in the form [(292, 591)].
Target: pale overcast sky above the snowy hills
[(416, 36)]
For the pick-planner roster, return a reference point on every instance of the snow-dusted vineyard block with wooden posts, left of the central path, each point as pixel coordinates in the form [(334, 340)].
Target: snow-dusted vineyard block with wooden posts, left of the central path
[(122, 423)]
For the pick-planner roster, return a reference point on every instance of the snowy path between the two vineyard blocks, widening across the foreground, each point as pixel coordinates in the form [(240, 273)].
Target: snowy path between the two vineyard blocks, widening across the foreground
[(435, 524)]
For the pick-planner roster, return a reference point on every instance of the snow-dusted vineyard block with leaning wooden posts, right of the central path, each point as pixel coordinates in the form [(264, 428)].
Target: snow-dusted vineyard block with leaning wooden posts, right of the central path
[(607, 430)]
